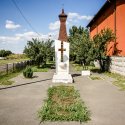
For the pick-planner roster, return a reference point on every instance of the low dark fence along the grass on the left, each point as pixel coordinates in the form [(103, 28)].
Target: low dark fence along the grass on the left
[(15, 66)]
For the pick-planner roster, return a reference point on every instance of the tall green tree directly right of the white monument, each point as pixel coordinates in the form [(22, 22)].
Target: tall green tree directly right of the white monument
[(80, 45)]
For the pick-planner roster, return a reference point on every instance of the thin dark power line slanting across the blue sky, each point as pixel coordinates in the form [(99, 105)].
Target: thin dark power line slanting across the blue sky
[(14, 2)]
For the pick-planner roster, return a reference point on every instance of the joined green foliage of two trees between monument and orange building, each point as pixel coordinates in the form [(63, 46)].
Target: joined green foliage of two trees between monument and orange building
[(83, 50)]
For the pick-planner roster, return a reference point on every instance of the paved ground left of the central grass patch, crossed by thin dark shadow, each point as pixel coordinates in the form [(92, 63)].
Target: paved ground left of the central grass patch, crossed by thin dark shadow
[(19, 104)]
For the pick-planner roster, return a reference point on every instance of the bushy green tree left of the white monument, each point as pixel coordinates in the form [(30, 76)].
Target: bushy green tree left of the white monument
[(40, 51)]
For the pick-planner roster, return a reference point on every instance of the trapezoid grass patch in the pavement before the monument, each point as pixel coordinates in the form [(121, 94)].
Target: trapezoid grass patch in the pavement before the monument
[(63, 104)]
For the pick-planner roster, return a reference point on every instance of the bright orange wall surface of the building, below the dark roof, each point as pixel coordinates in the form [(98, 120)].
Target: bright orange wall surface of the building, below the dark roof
[(106, 20)]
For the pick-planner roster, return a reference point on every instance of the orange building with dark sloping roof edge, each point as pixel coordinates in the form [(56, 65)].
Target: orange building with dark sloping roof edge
[(111, 15)]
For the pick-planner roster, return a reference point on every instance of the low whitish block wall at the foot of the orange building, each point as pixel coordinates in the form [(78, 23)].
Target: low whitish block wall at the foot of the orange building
[(118, 65)]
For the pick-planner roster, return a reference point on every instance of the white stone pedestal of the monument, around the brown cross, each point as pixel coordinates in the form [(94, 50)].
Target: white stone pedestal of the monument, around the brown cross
[(62, 68)]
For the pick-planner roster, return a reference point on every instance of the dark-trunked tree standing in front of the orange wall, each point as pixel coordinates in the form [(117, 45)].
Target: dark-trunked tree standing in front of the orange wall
[(100, 43)]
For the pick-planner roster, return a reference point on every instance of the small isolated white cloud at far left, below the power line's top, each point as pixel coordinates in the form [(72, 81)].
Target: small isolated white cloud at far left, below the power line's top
[(11, 25)]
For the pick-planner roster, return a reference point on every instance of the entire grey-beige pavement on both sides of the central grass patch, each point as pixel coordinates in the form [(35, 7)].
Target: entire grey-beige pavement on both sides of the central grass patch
[(19, 104)]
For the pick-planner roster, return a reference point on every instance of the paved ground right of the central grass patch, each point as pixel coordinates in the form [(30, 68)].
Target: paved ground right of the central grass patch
[(105, 101)]
